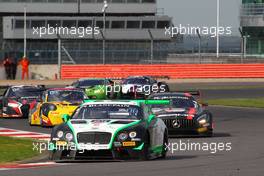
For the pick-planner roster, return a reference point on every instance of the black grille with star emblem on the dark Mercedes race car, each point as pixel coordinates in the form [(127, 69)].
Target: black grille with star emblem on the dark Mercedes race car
[(182, 123)]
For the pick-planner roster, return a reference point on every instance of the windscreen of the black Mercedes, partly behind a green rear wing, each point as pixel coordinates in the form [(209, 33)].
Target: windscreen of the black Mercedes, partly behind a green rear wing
[(177, 102)]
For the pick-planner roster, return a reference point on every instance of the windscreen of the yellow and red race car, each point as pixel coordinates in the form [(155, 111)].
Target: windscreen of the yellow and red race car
[(71, 96)]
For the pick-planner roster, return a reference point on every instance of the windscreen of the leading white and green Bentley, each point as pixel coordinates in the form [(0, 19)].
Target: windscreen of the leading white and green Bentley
[(108, 111)]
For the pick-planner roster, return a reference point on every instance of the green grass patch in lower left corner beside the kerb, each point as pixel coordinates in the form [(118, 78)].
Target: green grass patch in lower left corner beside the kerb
[(14, 149)]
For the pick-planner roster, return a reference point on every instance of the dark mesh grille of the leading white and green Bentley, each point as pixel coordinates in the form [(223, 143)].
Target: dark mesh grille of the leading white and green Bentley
[(94, 137)]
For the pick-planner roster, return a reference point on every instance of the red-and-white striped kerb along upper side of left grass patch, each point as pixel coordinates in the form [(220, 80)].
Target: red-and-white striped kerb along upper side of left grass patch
[(24, 134)]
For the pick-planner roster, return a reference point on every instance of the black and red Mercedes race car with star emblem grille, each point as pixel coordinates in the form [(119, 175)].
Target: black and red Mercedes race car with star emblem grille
[(184, 116)]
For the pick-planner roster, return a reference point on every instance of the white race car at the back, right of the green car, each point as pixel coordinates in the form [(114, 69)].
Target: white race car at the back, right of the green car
[(138, 87)]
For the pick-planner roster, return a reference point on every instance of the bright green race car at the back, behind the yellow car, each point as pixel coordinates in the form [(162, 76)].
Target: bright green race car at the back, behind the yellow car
[(97, 88)]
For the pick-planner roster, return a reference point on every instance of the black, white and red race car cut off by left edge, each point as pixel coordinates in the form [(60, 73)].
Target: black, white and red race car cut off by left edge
[(18, 100)]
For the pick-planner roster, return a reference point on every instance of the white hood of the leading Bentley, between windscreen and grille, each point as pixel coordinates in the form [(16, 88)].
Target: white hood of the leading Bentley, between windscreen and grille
[(109, 126)]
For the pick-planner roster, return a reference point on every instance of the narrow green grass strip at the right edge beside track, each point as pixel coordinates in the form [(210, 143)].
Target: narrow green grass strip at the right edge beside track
[(241, 102)]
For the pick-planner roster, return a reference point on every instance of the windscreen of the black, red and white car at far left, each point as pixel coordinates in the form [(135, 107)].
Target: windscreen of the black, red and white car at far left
[(25, 92)]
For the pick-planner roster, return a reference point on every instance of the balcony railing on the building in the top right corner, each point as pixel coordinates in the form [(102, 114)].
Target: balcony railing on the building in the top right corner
[(252, 9)]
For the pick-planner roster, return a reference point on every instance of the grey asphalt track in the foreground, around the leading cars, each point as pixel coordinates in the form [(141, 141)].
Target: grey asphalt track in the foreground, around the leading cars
[(242, 127)]
